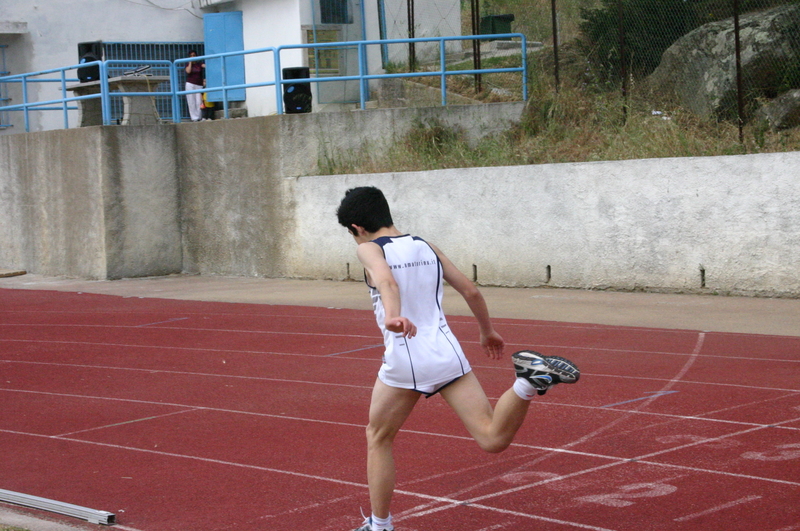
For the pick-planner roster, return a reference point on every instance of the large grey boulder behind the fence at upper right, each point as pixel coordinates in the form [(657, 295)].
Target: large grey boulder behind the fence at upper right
[(700, 67)]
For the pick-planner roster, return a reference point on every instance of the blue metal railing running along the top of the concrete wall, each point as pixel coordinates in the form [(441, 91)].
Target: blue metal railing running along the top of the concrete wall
[(175, 92)]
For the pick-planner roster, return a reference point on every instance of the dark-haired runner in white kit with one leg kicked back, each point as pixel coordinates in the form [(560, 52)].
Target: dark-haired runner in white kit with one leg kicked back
[(422, 357)]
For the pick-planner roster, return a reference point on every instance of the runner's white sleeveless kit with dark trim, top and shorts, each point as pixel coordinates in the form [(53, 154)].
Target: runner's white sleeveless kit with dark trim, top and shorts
[(433, 358)]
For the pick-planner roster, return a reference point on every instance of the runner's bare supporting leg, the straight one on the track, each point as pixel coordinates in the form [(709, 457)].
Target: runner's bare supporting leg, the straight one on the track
[(389, 409)]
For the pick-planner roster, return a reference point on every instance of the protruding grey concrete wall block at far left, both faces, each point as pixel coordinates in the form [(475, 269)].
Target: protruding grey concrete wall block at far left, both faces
[(92, 202)]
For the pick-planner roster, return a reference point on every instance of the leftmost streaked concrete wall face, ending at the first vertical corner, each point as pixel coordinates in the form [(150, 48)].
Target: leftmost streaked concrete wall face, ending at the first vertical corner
[(51, 202)]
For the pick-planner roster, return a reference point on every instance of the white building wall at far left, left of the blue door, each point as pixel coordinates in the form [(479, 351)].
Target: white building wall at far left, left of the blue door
[(55, 27)]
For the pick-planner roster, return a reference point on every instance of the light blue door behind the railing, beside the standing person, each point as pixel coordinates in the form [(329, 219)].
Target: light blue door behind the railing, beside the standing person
[(223, 33)]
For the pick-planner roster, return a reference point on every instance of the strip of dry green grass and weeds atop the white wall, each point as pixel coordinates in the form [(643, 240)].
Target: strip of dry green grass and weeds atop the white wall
[(570, 126)]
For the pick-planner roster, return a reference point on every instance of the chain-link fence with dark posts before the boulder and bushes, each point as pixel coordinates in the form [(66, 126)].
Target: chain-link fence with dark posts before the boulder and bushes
[(722, 59)]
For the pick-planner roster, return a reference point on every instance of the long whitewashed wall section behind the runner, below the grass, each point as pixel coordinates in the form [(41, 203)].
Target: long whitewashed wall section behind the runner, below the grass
[(638, 224)]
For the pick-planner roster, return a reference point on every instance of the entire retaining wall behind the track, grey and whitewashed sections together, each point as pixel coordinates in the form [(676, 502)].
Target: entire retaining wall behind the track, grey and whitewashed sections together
[(233, 198)]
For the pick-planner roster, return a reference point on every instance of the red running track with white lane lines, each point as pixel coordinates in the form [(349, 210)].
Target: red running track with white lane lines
[(179, 415)]
